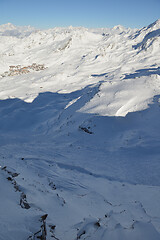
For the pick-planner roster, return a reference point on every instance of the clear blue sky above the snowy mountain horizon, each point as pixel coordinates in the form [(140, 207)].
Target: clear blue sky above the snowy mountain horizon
[(87, 13)]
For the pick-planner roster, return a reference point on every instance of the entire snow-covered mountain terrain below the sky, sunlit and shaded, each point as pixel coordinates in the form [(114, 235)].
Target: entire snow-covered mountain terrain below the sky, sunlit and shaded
[(80, 138)]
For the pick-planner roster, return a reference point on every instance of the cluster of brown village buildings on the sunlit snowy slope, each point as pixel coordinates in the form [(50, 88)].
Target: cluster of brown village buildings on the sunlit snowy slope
[(18, 69)]
